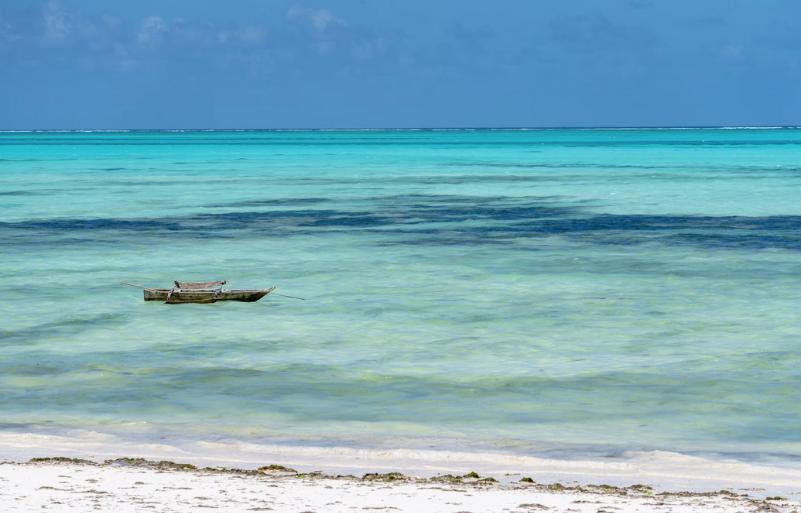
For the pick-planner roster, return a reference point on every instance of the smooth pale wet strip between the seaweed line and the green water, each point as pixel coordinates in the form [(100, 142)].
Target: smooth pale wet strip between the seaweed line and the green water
[(662, 471)]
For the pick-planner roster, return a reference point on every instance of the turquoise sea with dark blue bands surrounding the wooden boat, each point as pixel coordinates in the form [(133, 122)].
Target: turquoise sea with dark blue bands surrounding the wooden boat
[(544, 290)]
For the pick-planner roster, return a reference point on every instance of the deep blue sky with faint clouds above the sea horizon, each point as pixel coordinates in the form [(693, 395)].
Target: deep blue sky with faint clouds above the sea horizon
[(75, 64)]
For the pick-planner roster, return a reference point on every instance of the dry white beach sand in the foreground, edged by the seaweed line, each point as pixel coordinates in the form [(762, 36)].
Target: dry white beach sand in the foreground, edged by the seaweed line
[(134, 485)]
